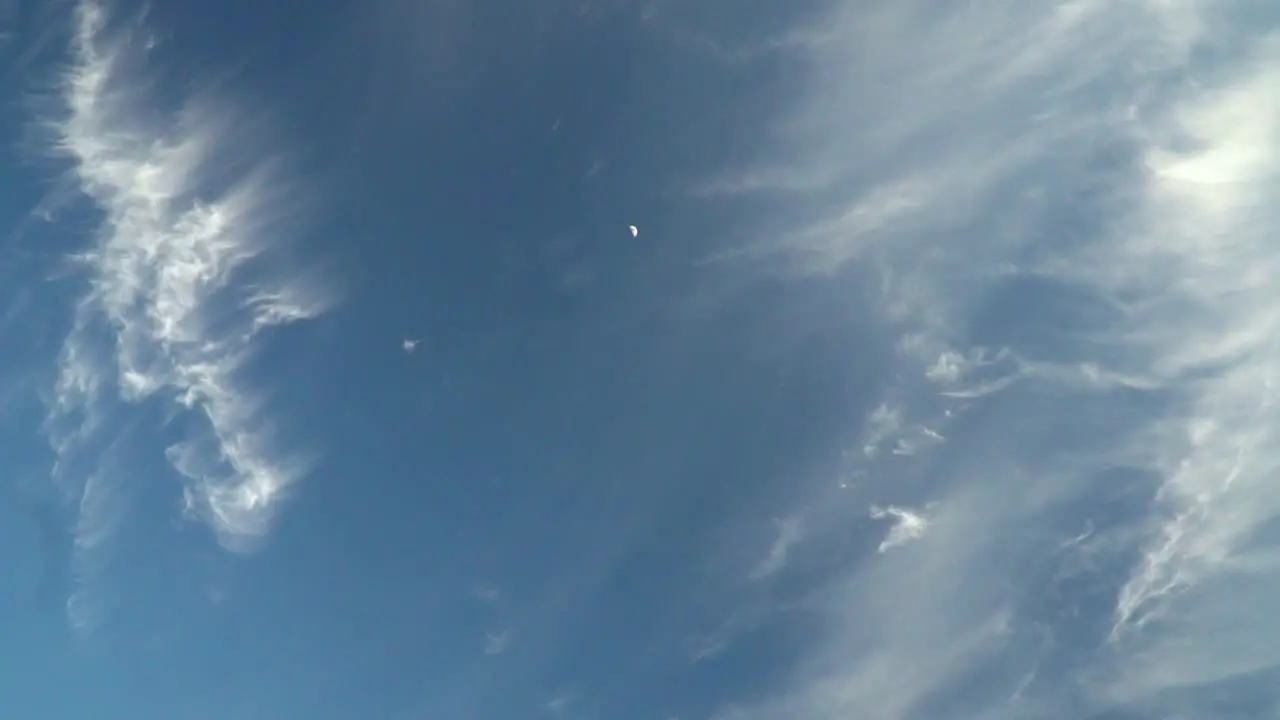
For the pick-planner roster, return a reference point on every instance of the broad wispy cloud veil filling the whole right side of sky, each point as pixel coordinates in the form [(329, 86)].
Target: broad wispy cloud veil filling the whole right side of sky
[(1067, 212)]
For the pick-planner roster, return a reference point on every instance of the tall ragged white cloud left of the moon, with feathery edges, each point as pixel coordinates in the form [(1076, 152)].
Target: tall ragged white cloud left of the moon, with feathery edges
[(184, 281)]
